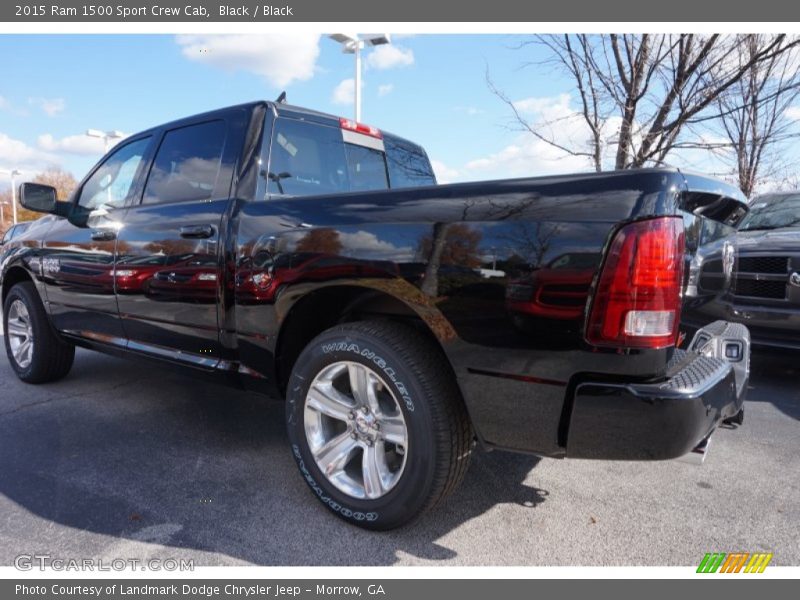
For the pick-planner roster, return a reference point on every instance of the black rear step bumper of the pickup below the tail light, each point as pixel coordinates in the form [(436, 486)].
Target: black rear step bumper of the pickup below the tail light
[(669, 419)]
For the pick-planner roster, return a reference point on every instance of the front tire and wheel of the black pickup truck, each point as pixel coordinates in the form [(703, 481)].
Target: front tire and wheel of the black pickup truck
[(49, 358)]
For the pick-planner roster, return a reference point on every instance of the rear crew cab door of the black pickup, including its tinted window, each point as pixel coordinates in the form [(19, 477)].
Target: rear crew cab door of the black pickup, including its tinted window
[(170, 268)]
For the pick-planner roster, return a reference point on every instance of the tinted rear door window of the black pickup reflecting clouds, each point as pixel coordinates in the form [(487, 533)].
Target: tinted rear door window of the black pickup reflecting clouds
[(187, 164)]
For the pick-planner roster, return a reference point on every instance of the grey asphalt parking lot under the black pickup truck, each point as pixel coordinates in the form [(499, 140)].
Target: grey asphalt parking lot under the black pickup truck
[(126, 460)]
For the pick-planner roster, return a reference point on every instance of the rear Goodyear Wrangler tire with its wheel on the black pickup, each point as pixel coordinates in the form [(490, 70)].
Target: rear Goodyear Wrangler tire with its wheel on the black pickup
[(411, 382)]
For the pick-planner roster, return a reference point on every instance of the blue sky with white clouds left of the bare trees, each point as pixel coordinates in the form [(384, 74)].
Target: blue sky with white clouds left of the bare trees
[(431, 89)]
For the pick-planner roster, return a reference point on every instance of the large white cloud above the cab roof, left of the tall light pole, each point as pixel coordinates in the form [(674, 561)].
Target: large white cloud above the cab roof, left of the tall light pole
[(281, 59)]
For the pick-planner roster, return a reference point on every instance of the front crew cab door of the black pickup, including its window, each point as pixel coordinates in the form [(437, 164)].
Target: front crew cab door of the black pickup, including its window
[(78, 254)]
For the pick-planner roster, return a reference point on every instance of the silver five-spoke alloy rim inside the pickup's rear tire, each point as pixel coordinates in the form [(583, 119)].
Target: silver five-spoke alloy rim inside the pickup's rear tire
[(356, 430)]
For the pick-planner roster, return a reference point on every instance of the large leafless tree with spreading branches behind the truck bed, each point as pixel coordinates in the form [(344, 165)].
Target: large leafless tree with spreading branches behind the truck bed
[(641, 94)]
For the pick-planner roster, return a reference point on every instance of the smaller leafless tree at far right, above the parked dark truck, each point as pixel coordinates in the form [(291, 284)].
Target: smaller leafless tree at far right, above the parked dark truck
[(753, 113)]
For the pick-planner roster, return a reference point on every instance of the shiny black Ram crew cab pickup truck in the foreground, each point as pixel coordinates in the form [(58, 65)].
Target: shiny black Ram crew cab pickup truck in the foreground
[(315, 259)]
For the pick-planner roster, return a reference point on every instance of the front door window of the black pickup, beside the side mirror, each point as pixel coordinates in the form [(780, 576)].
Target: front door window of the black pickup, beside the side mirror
[(111, 184)]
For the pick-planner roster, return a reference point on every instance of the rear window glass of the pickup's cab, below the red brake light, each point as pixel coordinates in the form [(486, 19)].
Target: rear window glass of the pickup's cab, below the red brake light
[(310, 159)]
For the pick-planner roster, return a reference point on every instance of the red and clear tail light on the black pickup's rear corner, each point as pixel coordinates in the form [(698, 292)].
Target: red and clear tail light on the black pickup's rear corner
[(637, 303)]
